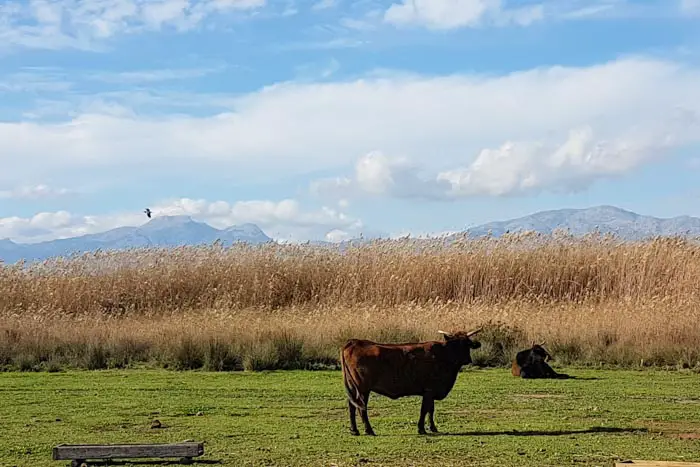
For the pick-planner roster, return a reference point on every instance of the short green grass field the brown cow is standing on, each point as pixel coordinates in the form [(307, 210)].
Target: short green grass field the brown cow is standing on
[(300, 418)]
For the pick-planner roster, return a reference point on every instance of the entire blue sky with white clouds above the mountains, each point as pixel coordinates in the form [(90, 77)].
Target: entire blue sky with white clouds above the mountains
[(326, 119)]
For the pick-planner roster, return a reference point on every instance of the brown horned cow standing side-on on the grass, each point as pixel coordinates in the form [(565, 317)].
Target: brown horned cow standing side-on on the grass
[(427, 369)]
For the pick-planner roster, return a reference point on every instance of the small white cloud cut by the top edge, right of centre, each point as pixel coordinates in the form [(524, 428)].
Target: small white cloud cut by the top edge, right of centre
[(451, 14)]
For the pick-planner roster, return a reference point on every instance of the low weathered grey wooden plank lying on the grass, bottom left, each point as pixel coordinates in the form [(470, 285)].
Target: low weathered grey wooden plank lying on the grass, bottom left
[(123, 451)]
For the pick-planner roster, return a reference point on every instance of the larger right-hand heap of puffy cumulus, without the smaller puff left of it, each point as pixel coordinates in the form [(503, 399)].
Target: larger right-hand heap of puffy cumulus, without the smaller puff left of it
[(518, 168)]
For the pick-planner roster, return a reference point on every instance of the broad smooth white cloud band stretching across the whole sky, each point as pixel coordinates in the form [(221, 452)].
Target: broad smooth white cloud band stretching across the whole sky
[(436, 122)]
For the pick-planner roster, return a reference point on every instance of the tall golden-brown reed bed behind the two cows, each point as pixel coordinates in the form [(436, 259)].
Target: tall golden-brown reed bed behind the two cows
[(596, 301)]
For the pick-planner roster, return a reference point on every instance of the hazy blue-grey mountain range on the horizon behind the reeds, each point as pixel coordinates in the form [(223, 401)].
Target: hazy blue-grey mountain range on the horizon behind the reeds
[(183, 230)]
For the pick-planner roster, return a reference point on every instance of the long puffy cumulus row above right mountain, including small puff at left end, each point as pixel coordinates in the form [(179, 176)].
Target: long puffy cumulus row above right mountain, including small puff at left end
[(519, 167)]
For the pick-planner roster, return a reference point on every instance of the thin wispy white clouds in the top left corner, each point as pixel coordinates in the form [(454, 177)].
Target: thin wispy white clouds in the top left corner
[(58, 24)]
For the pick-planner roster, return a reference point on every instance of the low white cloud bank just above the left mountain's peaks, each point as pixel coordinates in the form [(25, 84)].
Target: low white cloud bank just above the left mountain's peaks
[(285, 219)]
